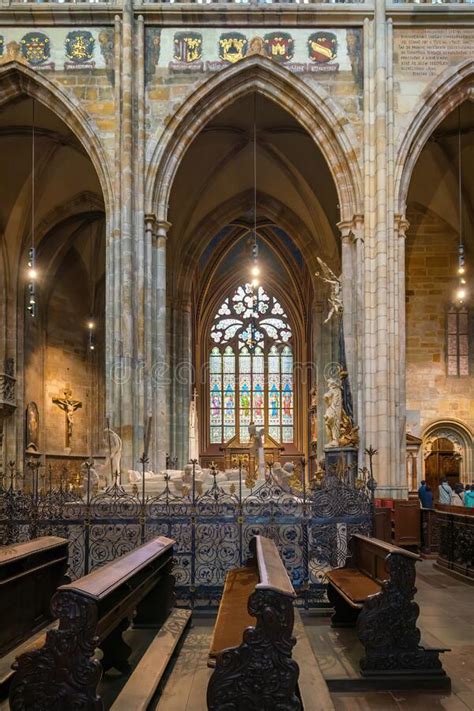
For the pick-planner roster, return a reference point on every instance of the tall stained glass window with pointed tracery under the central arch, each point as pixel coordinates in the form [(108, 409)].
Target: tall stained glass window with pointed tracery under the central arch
[(251, 368)]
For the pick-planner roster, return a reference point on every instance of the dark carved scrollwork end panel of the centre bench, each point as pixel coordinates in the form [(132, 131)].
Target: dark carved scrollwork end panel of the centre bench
[(260, 674)]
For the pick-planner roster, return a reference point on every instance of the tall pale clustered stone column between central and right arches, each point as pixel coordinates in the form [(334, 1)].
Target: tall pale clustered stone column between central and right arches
[(383, 430)]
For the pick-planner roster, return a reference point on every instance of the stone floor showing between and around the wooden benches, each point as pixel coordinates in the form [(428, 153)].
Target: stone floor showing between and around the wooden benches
[(447, 620)]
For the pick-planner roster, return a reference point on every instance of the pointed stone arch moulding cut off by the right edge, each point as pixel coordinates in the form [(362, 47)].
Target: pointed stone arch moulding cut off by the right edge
[(440, 98)]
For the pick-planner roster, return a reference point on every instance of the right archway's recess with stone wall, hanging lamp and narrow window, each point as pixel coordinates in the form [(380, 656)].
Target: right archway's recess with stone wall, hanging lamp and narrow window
[(439, 355)]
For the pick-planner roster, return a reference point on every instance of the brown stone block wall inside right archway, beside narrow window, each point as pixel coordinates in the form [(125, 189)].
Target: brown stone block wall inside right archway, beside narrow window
[(431, 260)]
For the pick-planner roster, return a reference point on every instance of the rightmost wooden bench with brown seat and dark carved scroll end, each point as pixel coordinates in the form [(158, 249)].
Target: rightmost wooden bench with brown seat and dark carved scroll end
[(375, 592)]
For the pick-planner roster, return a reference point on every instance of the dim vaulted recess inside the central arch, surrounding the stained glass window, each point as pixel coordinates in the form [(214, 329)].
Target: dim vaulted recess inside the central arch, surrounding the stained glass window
[(208, 256)]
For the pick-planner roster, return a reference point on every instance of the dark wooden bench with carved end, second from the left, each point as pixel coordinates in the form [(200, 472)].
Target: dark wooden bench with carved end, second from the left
[(93, 612)]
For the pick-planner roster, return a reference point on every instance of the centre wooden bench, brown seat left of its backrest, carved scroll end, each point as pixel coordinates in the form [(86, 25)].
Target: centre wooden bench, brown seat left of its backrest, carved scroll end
[(253, 661)]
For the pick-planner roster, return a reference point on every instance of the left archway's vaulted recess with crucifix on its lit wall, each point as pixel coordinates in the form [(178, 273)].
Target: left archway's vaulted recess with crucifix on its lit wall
[(55, 349)]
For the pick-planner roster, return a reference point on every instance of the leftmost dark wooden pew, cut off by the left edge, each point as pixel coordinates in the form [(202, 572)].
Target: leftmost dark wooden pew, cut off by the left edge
[(29, 576)]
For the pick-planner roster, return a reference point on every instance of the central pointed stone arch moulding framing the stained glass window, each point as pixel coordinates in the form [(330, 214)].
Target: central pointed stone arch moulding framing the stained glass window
[(312, 107)]
